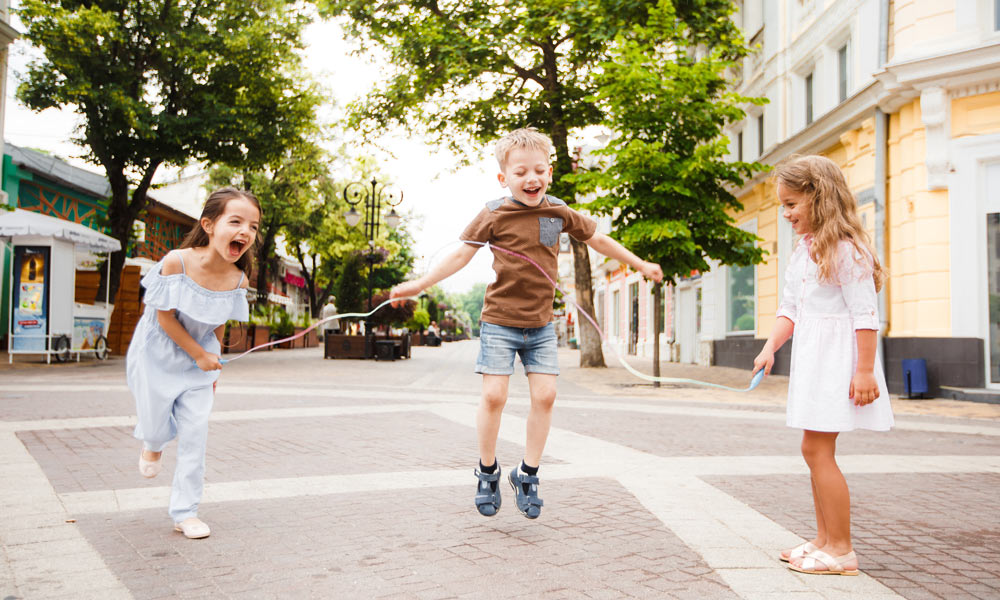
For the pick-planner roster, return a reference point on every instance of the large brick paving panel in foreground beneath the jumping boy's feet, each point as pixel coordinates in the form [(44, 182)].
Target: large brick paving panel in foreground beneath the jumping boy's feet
[(598, 542)]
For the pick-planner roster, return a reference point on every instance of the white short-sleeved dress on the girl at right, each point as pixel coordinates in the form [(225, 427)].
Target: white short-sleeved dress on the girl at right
[(824, 344)]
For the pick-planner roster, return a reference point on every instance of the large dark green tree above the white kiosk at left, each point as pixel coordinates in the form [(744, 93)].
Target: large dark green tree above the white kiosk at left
[(164, 82)]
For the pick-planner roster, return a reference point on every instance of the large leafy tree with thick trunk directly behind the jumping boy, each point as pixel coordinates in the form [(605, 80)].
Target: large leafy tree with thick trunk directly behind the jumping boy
[(473, 70)]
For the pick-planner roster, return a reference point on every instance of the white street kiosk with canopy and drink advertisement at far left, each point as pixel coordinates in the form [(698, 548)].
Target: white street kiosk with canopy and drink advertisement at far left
[(42, 314)]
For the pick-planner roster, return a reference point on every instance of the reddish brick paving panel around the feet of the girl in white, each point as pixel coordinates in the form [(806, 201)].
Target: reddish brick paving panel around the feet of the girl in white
[(925, 536)]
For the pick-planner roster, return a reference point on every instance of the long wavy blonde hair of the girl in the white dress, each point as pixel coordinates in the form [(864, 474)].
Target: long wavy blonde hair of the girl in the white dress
[(833, 213)]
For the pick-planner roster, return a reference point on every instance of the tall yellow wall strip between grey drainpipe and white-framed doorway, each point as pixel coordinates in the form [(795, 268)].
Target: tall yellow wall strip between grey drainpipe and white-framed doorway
[(918, 241)]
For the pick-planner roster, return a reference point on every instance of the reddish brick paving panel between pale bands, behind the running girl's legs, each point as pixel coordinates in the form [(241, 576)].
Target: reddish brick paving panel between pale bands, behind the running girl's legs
[(100, 458)]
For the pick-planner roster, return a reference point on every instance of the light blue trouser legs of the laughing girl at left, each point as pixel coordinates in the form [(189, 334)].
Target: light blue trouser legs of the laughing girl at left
[(186, 418)]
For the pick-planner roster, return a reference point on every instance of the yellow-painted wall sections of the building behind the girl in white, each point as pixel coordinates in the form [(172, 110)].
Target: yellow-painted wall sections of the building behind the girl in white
[(917, 240)]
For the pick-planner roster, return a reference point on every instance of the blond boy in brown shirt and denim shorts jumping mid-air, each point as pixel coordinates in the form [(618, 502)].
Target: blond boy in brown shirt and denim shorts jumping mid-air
[(517, 310)]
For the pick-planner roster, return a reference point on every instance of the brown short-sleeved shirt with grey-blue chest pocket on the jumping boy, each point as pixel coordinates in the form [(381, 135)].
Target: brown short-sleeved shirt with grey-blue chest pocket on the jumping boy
[(522, 296)]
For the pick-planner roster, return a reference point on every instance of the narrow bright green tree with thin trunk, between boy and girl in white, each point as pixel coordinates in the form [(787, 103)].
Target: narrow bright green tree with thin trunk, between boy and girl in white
[(667, 181)]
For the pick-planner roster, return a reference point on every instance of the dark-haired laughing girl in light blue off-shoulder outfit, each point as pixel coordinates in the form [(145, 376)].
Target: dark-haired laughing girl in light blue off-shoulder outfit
[(173, 360)]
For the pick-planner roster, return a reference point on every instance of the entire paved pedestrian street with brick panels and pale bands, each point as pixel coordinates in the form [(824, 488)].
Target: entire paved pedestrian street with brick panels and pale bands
[(353, 479)]
